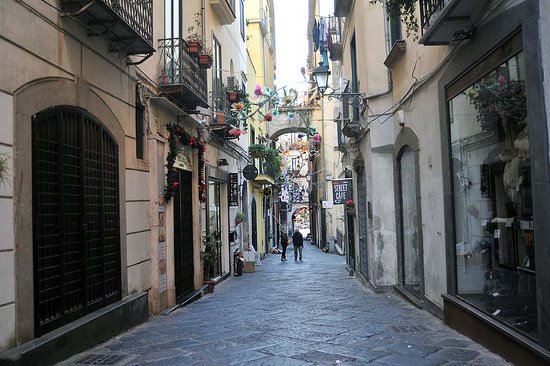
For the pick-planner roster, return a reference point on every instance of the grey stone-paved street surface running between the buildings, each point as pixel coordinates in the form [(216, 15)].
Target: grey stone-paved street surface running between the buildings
[(308, 312)]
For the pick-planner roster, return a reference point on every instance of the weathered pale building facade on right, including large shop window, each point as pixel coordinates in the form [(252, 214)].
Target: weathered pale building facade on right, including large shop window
[(453, 117)]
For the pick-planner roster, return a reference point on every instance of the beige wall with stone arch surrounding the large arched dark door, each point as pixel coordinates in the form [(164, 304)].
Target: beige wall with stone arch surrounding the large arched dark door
[(55, 63)]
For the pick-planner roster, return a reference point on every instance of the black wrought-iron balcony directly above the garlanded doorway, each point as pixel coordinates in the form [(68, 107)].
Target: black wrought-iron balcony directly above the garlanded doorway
[(182, 77)]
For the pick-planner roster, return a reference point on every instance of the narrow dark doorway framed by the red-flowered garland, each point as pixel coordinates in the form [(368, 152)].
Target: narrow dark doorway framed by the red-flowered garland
[(183, 235)]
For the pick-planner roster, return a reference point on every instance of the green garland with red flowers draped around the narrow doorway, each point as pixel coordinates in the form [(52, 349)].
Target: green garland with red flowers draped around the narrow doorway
[(178, 136)]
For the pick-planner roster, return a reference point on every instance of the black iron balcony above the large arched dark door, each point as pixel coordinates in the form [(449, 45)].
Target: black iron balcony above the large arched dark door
[(126, 24)]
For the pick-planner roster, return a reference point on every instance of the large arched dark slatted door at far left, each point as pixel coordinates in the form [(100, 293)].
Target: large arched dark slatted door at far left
[(76, 234)]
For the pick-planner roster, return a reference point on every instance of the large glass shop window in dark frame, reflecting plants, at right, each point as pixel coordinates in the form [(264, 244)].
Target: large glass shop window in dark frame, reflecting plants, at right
[(493, 211)]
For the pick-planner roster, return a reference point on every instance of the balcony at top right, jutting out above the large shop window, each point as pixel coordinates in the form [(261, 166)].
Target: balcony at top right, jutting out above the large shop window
[(446, 21)]
